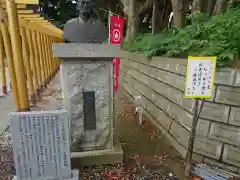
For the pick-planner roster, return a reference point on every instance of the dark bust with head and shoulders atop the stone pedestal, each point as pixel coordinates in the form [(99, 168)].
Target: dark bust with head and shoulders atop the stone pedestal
[(86, 28)]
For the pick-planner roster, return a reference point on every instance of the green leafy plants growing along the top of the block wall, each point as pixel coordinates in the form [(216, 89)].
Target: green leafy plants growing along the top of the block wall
[(206, 36)]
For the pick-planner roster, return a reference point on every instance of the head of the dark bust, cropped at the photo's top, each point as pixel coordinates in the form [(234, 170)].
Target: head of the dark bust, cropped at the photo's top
[(85, 8)]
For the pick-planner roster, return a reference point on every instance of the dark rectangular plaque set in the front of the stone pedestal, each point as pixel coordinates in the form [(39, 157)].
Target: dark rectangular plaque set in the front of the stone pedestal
[(89, 110)]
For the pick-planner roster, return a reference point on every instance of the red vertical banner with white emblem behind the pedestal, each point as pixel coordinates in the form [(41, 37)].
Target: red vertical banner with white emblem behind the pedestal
[(116, 37)]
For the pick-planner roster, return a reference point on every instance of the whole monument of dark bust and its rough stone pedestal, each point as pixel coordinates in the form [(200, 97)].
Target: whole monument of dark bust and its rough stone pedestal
[(87, 83)]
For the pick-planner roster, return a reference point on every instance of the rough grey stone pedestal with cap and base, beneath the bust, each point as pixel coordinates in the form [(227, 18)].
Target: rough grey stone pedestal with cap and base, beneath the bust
[(87, 82)]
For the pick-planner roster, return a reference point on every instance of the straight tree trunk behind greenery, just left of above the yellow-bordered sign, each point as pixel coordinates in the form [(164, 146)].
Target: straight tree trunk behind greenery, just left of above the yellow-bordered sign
[(178, 13)]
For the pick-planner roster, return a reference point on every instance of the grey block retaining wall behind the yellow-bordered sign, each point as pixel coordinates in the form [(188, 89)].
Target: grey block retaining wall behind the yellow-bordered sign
[(161, 83)]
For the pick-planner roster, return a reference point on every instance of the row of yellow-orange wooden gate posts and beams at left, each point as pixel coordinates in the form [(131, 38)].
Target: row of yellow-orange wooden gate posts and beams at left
[(26, 40)]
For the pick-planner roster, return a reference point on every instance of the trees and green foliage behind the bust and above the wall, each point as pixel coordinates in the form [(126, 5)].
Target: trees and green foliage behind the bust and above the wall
[(213, 32)]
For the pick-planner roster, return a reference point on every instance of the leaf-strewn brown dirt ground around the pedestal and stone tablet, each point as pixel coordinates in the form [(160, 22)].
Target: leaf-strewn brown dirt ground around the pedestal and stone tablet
[(147, 153)]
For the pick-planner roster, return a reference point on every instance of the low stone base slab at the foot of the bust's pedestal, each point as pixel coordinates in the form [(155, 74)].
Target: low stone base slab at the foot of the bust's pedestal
[(98, 157)]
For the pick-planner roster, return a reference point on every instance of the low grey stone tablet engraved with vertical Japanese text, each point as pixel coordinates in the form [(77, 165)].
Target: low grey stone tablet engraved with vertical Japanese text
[(40, 142)]
